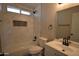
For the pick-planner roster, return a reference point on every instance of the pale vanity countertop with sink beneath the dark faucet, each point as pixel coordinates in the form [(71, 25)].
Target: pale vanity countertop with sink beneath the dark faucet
[(67, 50)]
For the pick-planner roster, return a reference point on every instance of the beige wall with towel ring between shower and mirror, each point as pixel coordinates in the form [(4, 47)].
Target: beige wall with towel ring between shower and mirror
[(48, 15)]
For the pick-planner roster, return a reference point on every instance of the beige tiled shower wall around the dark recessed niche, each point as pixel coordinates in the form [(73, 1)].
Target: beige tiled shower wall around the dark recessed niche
[(15, 38)]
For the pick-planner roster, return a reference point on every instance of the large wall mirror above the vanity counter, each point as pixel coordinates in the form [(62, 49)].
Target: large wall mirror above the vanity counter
[(68, 23)]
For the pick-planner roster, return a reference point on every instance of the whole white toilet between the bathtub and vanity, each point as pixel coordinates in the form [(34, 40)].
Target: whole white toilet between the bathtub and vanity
[(37, 50)]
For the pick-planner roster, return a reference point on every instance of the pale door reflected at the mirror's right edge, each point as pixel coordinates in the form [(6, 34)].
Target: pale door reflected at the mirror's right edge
[(75, 27)]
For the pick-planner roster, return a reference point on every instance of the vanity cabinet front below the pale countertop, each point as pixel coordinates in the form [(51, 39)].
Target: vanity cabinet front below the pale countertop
[(49, 51)]
